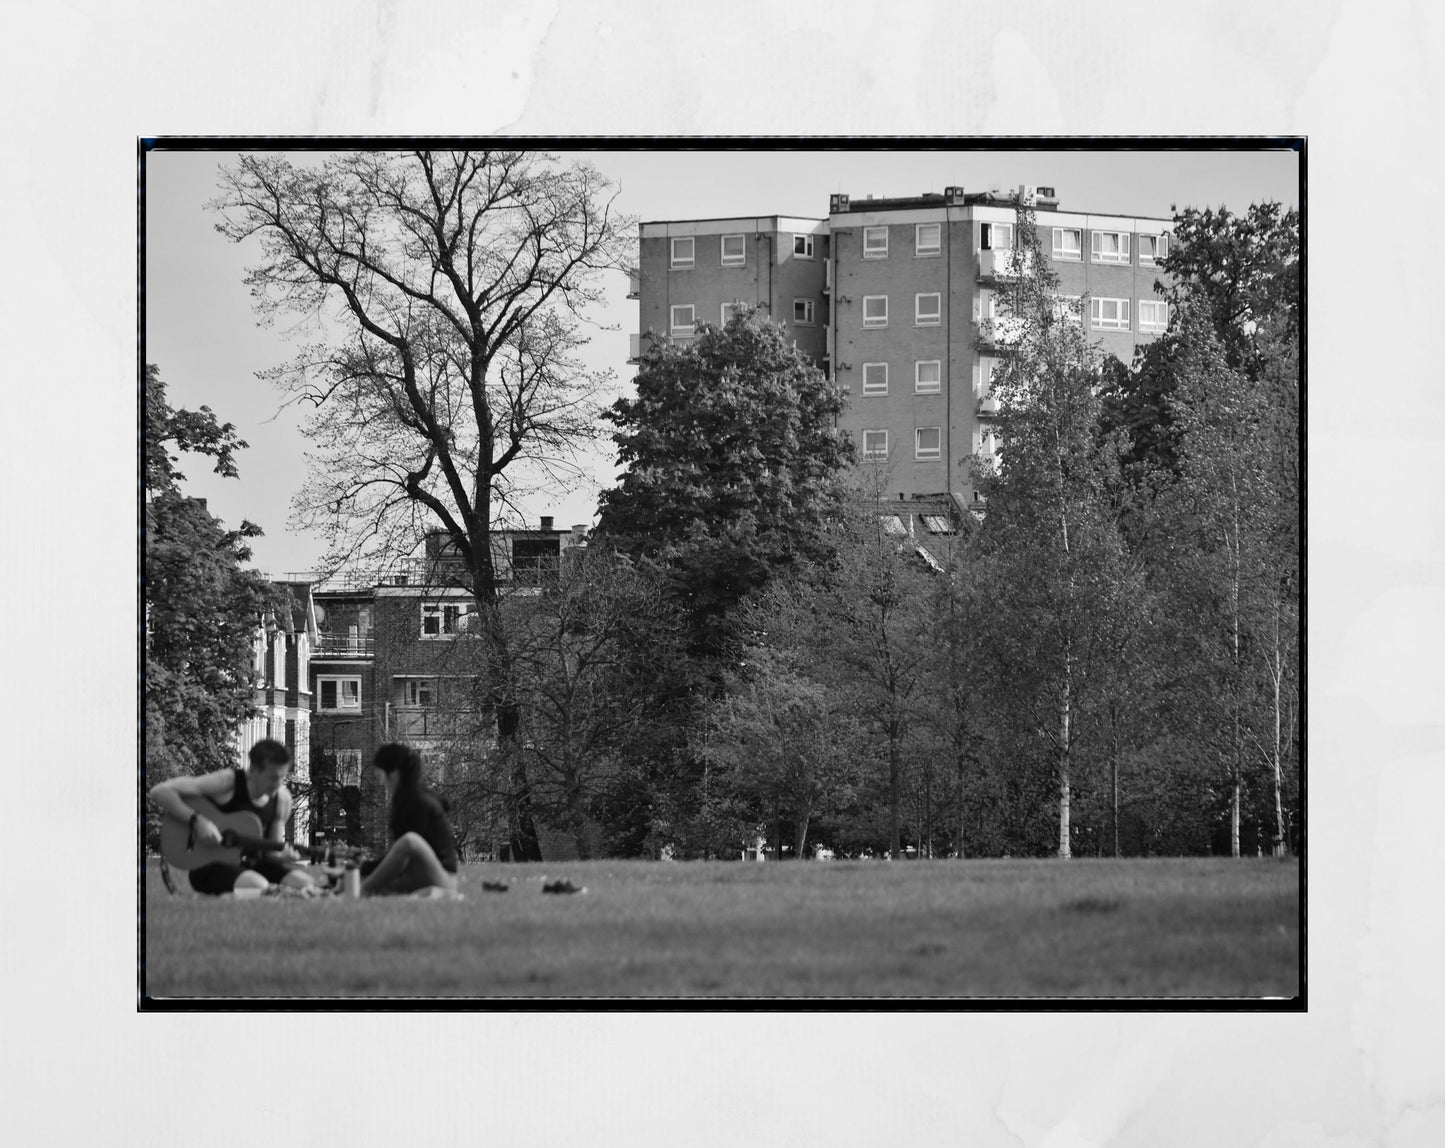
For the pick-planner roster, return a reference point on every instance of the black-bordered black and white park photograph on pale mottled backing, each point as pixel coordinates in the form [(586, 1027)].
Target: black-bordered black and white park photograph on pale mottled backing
[(626, 589)]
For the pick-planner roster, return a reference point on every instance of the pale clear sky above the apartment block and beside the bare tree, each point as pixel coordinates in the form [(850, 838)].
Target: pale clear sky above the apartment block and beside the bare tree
[(203, 333)]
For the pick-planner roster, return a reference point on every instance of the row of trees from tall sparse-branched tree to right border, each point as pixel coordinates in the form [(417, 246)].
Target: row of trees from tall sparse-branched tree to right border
[(1108, 663)]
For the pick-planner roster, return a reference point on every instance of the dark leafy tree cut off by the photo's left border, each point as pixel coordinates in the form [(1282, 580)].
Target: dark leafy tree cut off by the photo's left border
[(203, 609)]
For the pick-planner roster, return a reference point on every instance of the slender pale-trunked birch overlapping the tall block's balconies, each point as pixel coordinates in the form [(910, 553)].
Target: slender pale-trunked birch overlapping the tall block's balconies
[(1057, 567)]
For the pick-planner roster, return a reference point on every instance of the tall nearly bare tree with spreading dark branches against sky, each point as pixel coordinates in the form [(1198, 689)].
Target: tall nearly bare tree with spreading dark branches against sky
[(450, 293)]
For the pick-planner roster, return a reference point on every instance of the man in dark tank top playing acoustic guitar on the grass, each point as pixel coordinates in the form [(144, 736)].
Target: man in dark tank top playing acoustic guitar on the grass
[(261, 790)]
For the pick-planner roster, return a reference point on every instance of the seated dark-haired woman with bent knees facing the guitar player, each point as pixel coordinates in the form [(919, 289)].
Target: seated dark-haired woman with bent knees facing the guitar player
[(424, 852)]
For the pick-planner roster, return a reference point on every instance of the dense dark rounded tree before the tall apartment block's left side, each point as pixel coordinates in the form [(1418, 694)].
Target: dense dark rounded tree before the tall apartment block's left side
[(733, 465)]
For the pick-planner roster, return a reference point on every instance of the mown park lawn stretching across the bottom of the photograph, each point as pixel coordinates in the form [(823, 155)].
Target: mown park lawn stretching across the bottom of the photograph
[(858, 930)]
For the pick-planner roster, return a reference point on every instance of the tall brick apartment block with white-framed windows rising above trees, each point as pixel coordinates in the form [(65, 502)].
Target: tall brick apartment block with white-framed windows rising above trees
[(898, 299)]
